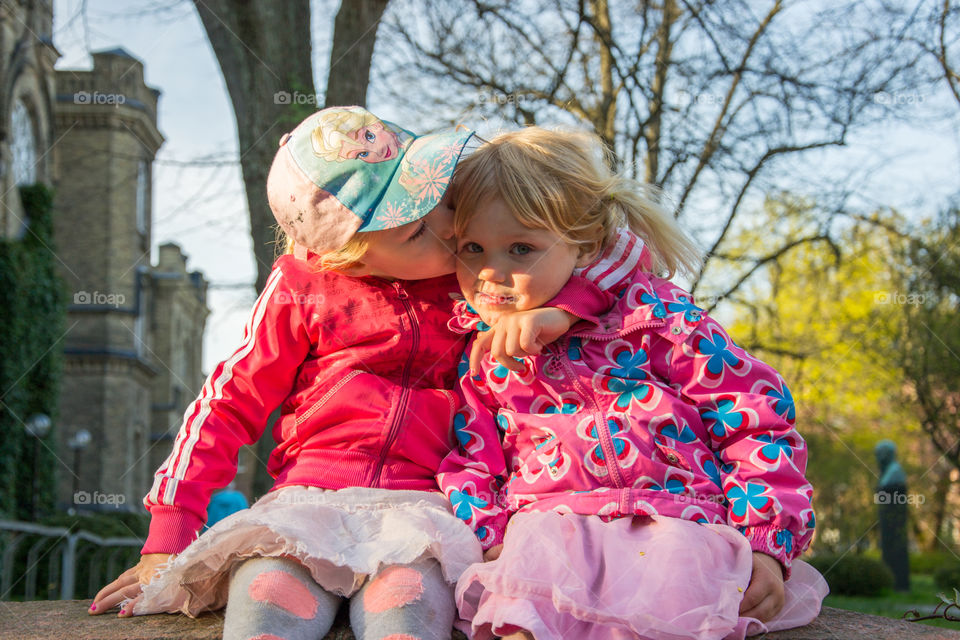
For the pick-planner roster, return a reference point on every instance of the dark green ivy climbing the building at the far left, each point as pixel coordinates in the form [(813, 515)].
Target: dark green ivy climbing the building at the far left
[(33, 297)]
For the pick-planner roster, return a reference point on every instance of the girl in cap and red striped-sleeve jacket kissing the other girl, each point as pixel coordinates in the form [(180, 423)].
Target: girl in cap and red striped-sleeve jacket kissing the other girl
[(349, 339)]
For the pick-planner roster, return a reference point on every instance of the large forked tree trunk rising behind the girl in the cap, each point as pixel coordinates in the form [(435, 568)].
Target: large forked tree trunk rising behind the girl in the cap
[(264, 52)]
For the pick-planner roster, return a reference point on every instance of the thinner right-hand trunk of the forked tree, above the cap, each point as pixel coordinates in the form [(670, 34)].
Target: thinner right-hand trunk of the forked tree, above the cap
[(354, 35)]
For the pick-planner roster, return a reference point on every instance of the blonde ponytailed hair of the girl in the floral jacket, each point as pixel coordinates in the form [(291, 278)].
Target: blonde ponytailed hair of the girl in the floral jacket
[(562, 181)]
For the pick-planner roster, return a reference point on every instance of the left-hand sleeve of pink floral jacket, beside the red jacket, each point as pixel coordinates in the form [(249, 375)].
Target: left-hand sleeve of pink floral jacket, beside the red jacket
[(471, 475)]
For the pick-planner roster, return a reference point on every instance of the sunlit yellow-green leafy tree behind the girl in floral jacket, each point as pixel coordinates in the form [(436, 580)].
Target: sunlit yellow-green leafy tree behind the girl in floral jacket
[(828, 314)]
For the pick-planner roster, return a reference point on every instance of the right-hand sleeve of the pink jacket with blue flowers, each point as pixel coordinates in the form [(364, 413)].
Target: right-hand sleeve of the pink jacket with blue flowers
[(748, 414)]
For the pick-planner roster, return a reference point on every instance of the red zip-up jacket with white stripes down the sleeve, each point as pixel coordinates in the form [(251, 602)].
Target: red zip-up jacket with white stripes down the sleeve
[(362, 370)]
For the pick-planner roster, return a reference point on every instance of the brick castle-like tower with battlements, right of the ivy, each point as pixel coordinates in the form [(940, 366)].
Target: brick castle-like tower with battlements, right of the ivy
[(134, 342)]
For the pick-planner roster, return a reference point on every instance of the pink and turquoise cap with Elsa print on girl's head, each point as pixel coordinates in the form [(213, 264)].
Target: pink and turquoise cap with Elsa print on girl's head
[(343, 170)]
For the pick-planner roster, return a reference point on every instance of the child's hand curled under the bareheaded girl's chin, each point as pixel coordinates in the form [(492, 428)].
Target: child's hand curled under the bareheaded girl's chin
[(519, 334)]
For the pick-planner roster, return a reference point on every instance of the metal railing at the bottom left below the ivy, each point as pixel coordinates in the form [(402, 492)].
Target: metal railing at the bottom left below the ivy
[(27, 547)]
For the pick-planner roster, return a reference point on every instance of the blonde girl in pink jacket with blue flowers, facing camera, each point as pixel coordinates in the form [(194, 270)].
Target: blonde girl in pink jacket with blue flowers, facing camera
[(641, 477)]
